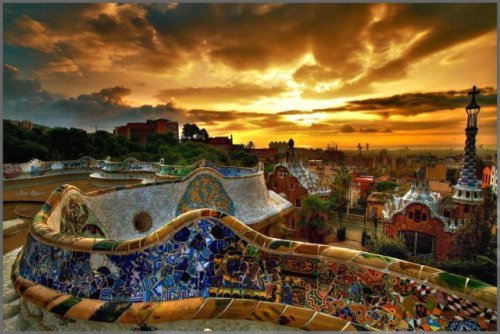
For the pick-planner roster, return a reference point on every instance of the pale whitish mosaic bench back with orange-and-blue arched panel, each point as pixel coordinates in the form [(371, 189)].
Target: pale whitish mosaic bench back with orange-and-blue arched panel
[(111, 212)]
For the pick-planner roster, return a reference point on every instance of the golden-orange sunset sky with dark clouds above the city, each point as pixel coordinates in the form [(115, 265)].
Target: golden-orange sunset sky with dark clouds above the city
[(388, 74)]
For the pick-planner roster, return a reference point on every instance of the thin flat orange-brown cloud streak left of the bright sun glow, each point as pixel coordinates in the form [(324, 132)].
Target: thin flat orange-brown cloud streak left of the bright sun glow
[(236, 92)]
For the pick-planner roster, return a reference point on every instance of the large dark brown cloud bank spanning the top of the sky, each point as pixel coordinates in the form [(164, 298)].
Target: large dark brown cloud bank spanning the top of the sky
[(255, 36)]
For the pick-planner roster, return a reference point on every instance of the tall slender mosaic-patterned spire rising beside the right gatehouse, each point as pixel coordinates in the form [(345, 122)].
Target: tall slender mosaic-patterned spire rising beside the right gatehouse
[(467, 191)]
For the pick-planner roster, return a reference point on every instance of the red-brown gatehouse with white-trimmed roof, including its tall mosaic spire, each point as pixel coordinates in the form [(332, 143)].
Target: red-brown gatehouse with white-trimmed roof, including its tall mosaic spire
[(428, 222)]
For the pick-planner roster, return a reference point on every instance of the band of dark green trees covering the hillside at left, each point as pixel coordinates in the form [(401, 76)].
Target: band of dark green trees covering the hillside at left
[(21, 145)]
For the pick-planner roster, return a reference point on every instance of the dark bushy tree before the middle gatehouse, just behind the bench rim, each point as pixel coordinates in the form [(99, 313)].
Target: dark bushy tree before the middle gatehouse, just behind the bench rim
[(313, 207)]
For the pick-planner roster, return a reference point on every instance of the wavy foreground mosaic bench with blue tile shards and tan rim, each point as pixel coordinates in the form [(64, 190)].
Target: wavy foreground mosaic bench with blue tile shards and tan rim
[(205, 263)]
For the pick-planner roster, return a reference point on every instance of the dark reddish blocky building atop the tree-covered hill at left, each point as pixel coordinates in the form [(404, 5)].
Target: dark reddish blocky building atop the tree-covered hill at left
[(139, 131)]
